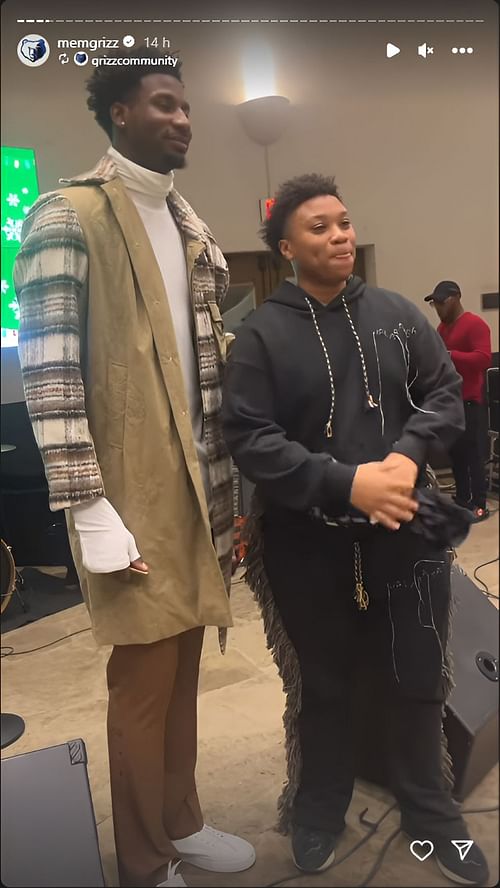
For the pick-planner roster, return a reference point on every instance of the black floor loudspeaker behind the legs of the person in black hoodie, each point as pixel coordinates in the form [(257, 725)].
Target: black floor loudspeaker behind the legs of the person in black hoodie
[(471, 722)]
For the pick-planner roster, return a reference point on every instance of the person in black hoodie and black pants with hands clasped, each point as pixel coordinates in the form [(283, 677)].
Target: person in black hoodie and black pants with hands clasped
[(334, 392)]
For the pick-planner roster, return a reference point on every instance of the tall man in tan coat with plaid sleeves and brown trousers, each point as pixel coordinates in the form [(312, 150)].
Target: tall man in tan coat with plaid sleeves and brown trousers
[(122, 350)]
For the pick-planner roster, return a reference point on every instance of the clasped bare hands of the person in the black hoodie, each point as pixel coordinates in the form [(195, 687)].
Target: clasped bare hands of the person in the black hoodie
[(381, 492)]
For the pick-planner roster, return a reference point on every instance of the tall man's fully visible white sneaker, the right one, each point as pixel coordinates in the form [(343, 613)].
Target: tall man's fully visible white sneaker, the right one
[(216, 851)]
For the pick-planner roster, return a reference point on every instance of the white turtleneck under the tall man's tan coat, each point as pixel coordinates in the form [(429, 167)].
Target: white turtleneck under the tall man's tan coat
[(149, 190)]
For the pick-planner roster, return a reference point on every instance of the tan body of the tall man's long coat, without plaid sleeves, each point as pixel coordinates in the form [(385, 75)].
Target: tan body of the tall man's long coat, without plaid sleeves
[(138, 417)]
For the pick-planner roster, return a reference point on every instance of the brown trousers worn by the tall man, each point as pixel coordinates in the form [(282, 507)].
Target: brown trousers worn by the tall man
[(152, 741)]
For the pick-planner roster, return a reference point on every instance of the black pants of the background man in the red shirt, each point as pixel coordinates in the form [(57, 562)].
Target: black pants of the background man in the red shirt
[(468, 459)]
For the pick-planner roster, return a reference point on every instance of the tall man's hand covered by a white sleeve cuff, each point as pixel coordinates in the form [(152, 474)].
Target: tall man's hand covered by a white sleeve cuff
[(107, 546)]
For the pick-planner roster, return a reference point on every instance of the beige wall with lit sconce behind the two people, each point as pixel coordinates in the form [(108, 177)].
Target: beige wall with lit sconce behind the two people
[(413, 142)]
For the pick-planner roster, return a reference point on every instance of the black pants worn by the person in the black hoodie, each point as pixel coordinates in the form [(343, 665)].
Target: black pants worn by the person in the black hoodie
[(399, 640)]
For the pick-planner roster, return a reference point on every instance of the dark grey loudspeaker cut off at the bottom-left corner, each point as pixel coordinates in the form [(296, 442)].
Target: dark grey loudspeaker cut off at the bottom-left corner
[(49, 834)]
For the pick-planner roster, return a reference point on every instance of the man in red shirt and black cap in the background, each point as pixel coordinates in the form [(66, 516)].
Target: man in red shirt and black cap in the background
[(468, 341)]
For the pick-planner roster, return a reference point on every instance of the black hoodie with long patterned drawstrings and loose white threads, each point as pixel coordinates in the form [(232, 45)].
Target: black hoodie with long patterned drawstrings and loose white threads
[(278, 392)]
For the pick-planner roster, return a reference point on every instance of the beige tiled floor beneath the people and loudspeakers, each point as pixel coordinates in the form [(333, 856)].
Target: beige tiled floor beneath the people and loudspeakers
[(60, 691)]
